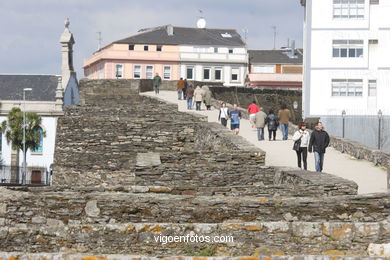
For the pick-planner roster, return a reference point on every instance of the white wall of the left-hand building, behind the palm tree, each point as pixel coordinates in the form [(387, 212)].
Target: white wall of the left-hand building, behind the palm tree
[(44, 159)]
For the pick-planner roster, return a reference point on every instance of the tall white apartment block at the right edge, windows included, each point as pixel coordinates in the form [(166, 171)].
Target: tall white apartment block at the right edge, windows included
[(347, 57)]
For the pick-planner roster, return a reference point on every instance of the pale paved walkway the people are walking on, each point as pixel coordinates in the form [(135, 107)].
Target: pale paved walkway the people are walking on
[(279, 153)]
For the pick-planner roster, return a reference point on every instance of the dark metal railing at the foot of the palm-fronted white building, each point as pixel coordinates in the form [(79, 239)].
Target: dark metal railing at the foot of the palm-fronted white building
[(13, 176)]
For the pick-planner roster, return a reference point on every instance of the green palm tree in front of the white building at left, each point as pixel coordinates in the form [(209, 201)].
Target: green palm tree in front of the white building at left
[(13, 130)]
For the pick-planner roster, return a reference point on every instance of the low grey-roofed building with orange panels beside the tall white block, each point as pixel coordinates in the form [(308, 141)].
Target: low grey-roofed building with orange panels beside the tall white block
[(276, 68)]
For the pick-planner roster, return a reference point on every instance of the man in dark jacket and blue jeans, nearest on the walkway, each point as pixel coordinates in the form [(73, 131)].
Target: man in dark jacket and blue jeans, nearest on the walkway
[(319, 140)]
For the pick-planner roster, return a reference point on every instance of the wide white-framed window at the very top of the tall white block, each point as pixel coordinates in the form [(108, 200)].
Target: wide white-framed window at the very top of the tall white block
[(348, 9)]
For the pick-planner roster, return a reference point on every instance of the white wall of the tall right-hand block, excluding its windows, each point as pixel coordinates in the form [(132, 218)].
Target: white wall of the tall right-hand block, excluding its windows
[(321, 67)]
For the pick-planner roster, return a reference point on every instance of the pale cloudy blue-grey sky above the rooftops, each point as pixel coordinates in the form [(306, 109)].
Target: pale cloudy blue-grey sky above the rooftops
[(30, 29)]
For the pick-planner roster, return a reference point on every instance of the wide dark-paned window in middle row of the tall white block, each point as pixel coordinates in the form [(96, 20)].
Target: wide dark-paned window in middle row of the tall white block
[(348, 48)]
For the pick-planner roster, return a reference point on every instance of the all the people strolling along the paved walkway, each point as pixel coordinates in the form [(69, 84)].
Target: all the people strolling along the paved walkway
[(304, 141)]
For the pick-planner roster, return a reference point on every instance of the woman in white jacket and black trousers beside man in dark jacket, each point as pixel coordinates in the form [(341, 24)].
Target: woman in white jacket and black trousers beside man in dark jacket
[(301, 141)]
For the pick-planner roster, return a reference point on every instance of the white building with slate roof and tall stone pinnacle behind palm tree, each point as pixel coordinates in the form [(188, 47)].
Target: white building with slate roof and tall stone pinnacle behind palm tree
[(48, 95)]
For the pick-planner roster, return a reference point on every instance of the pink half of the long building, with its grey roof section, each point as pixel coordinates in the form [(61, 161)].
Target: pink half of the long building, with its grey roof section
[(135, 57)]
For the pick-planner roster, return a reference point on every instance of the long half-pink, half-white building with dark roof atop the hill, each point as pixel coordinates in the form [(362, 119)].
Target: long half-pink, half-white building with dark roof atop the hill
[(201, 54)]
